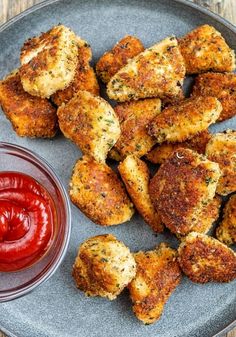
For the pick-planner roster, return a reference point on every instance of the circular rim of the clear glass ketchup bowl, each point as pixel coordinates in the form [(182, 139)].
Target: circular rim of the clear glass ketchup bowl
[(9, 295)]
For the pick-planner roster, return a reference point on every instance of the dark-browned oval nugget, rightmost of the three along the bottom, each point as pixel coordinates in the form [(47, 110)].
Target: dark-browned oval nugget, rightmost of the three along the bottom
[(204, 259)]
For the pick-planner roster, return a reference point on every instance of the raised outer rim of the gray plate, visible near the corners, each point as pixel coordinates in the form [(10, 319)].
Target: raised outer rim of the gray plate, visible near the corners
[(187, 3)]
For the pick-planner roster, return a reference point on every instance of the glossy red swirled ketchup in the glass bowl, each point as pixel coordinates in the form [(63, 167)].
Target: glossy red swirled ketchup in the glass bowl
[(27, 215)]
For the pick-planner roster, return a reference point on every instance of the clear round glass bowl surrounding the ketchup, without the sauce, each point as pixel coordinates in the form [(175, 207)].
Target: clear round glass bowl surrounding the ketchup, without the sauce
[(19, 283)]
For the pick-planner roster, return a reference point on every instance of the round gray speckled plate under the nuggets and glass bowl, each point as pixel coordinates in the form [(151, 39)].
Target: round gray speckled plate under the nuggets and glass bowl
[(56, 308)]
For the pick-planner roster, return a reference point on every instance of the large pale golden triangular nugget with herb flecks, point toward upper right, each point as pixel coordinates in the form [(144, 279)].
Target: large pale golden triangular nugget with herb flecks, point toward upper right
[(157, 72)]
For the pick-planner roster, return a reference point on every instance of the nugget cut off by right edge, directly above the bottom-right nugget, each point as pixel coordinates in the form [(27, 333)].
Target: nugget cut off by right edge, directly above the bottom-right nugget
[(226, 232)]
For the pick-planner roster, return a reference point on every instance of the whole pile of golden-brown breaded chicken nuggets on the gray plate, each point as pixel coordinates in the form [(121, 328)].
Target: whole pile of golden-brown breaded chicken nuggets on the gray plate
[(152, 121)]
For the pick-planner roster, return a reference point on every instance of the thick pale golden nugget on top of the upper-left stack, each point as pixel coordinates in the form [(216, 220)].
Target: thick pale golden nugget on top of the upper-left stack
[(48, 61)]
